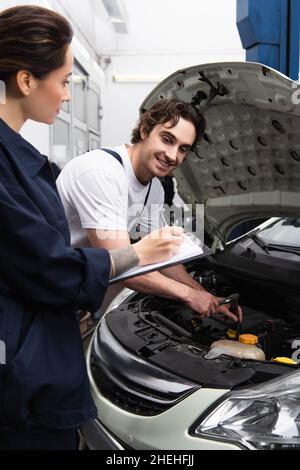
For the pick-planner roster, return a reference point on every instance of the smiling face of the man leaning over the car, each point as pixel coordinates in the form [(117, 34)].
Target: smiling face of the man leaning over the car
[(165, 148)]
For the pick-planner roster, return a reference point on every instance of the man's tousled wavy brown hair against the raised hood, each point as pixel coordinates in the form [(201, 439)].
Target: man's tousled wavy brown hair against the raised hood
[(166, 110)]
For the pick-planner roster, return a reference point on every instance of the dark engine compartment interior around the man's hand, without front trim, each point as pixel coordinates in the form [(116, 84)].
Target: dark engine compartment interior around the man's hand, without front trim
[(277, 326)]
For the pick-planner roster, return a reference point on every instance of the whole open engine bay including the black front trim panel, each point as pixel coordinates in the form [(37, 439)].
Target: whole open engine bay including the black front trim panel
[(169, 335)]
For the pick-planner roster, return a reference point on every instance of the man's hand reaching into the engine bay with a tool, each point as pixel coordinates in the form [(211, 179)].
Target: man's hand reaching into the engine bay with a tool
[(206, 304)]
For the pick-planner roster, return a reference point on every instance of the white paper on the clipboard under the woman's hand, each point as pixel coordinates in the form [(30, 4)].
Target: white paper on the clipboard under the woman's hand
[(190, 248)]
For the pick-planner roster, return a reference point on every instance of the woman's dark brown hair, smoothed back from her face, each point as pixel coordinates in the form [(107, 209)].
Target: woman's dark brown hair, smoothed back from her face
[(34, 39)]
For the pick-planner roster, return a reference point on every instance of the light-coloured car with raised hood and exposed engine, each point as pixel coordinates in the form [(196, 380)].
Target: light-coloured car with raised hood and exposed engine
[(156, 379)]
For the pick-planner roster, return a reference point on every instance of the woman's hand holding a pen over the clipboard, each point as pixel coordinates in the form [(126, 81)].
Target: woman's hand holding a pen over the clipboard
[(159, 246)]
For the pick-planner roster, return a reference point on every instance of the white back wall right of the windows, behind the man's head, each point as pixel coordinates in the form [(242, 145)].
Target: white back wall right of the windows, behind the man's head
[(164, 37)]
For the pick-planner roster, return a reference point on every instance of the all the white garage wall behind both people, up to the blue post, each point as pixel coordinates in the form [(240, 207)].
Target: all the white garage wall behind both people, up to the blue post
[(164, 36)]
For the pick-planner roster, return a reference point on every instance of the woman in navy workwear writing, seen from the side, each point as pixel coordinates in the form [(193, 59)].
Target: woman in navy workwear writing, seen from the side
[(44, 389)]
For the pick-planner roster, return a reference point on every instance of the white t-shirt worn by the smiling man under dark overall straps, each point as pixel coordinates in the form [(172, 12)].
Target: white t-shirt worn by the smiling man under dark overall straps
[(99, 193)]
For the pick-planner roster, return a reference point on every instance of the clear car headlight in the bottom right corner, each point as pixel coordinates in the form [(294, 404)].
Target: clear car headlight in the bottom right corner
[(265, 417)]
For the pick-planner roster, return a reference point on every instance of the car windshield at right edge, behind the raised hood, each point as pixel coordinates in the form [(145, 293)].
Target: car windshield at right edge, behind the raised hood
[(282, 232)]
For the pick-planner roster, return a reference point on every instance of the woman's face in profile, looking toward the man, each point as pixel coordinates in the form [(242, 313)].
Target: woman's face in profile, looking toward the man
[(47, 95)]
